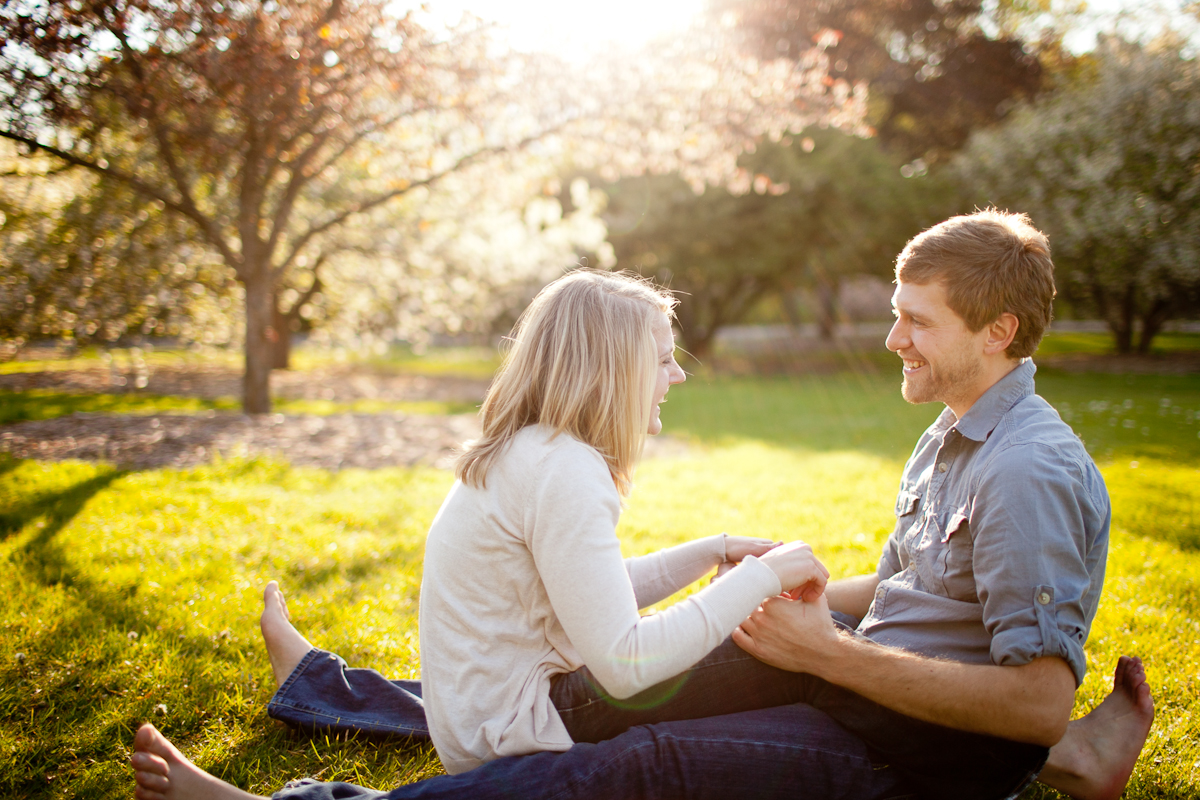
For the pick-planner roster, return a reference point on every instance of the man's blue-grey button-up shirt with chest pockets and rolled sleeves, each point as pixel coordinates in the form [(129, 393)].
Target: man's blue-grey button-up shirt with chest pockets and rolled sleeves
[(1001, 538)]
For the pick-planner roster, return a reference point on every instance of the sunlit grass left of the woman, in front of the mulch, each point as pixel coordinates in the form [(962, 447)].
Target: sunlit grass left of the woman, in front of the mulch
[(131, 591)]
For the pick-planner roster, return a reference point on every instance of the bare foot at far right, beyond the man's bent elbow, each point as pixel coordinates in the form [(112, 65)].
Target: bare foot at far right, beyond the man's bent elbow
[(1095, 760)]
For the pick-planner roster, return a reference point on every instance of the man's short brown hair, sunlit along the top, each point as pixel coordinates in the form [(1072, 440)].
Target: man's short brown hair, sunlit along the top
[(991, 262)]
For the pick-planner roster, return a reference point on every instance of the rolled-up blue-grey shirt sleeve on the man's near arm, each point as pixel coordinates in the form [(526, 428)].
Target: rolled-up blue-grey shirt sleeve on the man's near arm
[(1029, 525)]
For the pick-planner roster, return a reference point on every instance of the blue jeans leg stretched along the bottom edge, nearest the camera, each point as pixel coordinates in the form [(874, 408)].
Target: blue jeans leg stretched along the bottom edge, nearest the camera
[(793, 753)]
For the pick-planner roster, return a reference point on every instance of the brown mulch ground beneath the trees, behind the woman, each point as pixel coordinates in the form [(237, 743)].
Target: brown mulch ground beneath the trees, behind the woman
[(183, 441)]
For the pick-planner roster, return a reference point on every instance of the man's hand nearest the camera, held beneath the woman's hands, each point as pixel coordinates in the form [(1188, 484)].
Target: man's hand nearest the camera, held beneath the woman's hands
[(794, 635)]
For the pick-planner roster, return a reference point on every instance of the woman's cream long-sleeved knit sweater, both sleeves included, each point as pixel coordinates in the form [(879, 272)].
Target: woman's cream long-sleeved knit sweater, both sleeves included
[(525, 580)]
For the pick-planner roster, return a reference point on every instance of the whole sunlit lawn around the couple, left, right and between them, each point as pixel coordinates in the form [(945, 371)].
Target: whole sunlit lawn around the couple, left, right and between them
[(135, 596)]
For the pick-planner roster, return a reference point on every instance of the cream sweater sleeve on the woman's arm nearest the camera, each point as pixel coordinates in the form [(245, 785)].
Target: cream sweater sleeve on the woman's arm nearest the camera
[(571, 526)]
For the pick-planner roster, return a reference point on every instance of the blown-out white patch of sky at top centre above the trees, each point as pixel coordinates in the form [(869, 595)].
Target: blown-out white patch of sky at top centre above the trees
[(580, 28)]
